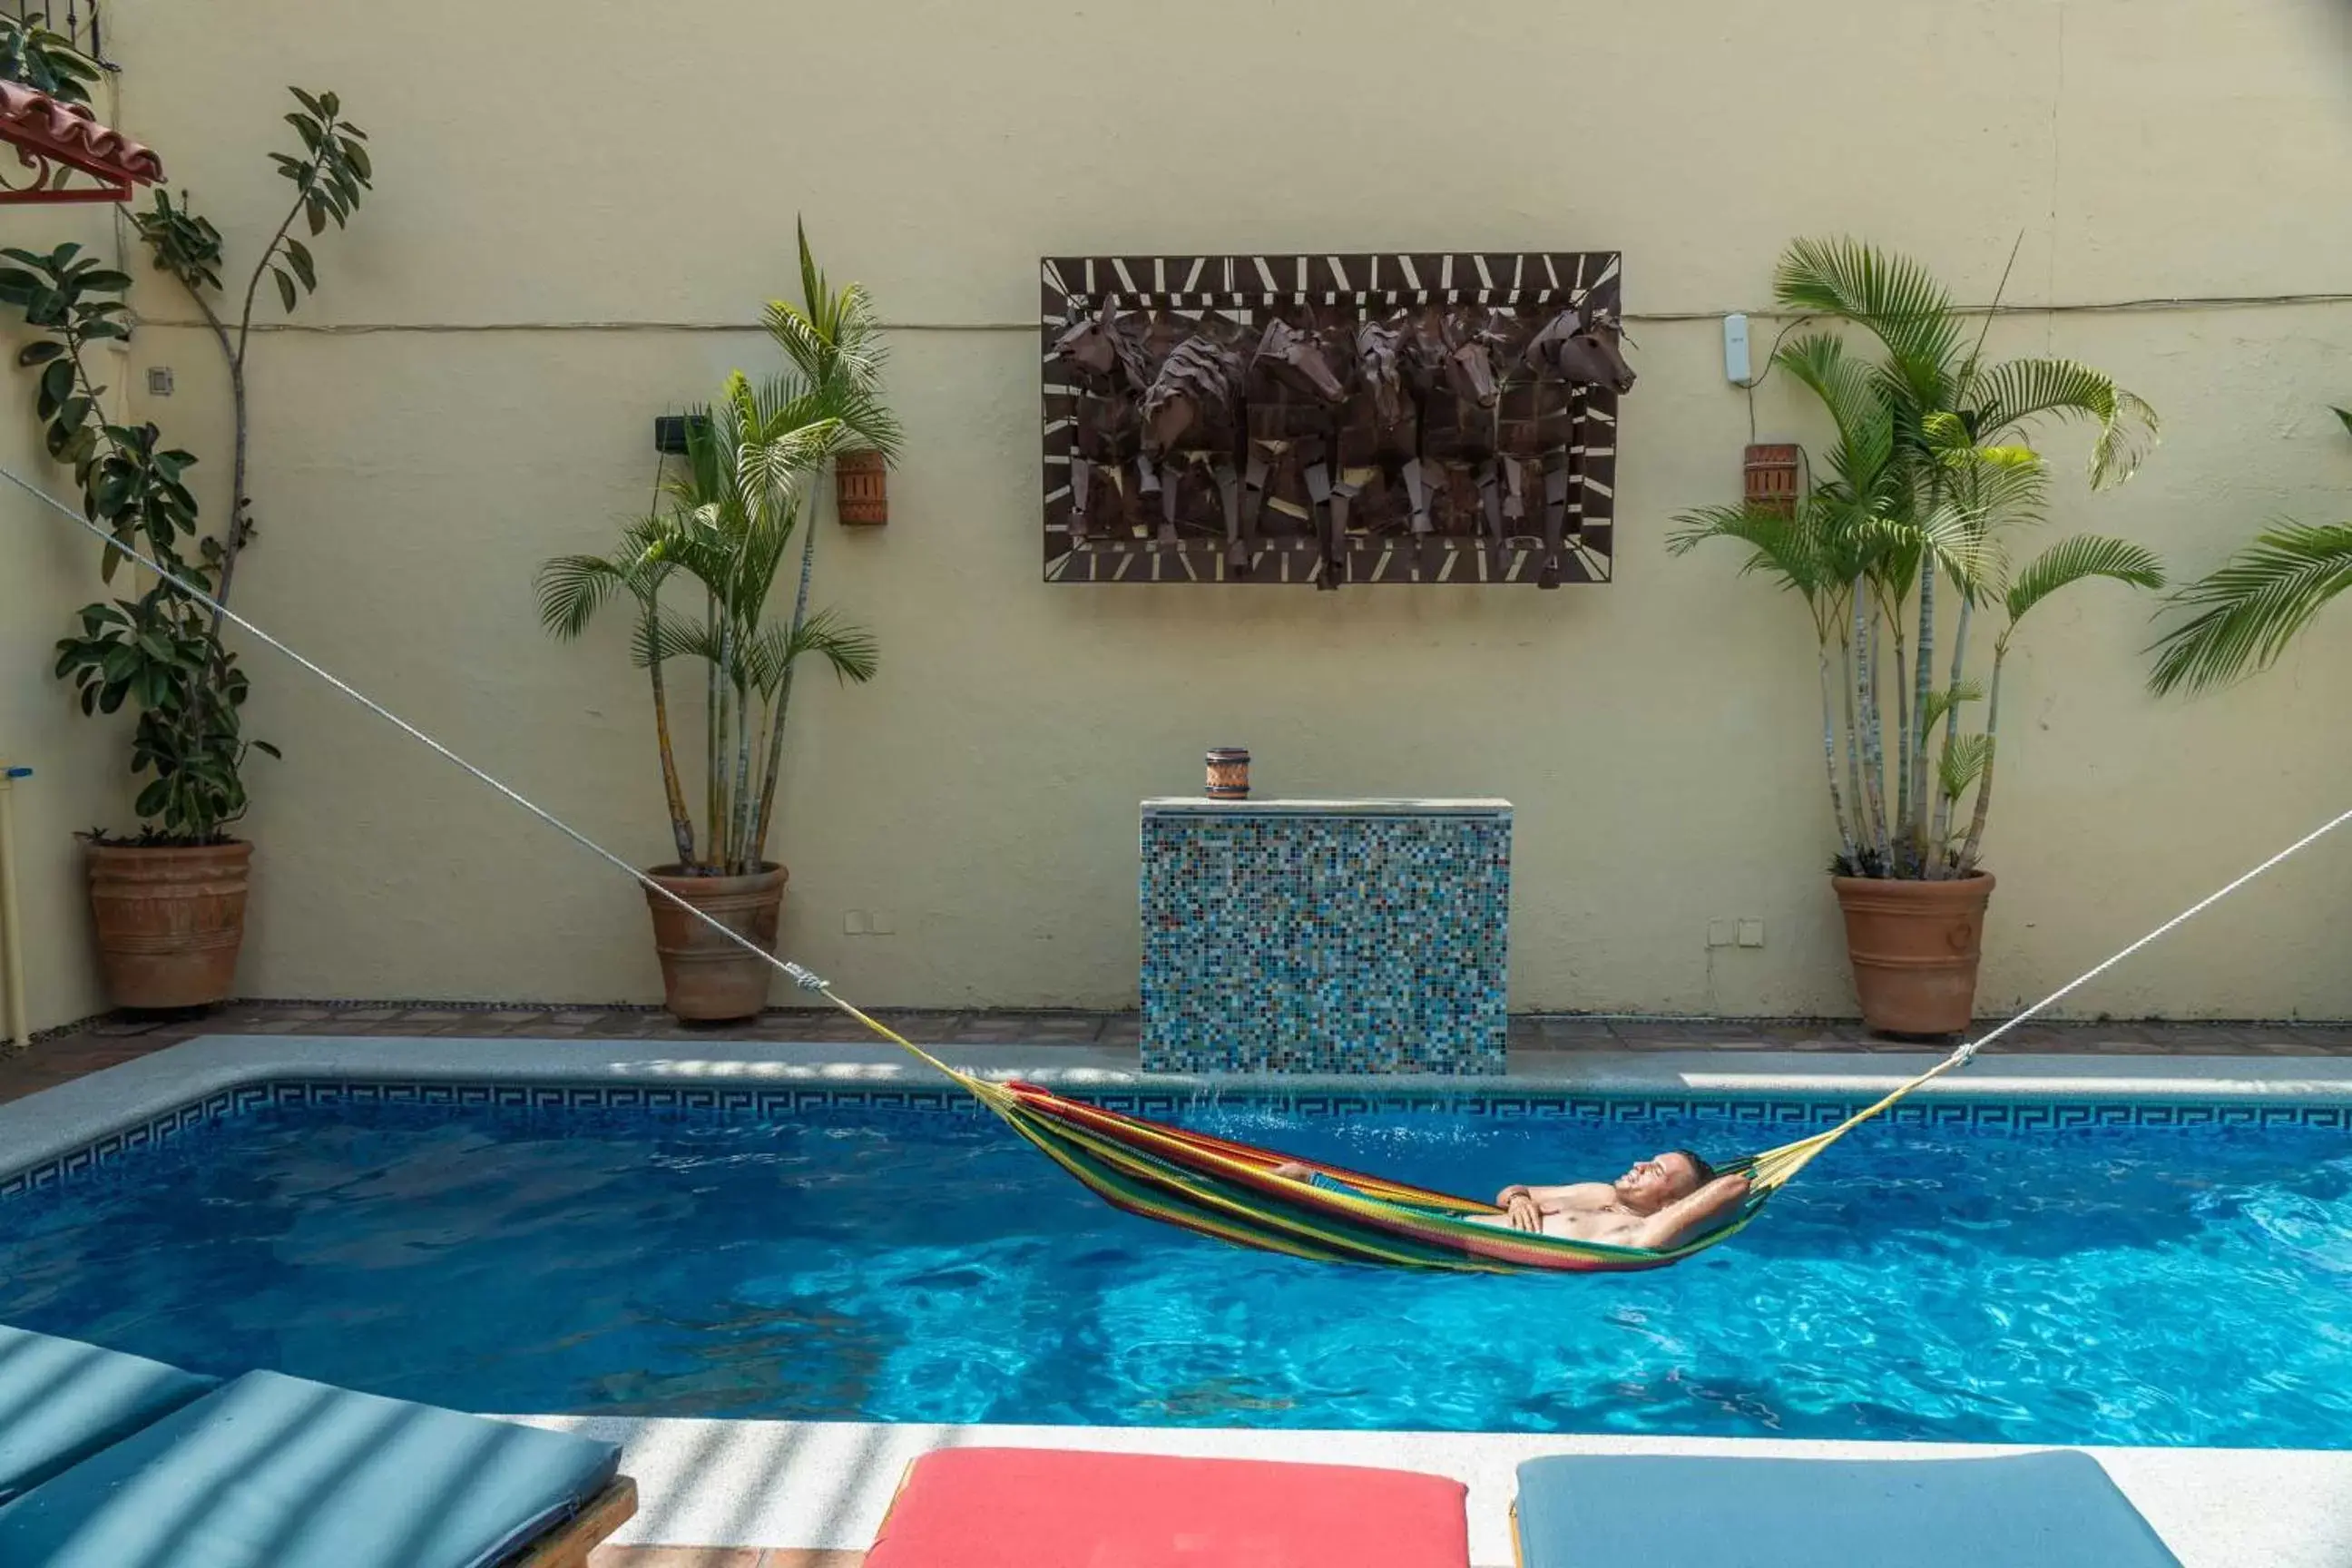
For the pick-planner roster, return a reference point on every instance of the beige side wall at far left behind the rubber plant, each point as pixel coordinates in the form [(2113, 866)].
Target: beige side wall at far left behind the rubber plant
[(48, 570)]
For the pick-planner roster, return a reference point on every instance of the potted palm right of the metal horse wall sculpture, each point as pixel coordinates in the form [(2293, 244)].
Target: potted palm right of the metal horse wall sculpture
[(1902, 551)]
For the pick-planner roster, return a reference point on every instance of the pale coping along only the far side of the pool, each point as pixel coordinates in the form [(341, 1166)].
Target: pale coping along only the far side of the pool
[(116, 1104)]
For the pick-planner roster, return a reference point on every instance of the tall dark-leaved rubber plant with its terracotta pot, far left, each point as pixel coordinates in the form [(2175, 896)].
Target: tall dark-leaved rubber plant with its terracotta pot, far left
[(171, 899)]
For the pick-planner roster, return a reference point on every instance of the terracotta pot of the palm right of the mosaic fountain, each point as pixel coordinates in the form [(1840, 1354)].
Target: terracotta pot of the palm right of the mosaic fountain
[(1916, 949)]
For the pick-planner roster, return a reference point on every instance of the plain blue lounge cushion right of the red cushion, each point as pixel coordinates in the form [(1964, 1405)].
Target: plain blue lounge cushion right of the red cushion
[(2026, 1510)]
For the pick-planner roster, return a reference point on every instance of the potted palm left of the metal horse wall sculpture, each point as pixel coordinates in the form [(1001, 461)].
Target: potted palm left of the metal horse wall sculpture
[(733, 516)]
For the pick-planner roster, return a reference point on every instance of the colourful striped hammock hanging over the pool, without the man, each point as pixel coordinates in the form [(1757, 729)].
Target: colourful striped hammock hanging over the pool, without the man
[(1229, 1191)]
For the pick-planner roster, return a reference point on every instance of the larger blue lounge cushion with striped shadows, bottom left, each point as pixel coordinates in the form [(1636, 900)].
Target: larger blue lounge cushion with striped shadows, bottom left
[(279, 1473)]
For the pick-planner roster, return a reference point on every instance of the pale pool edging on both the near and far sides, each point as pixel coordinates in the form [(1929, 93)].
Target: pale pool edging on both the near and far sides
[(827, 1485)]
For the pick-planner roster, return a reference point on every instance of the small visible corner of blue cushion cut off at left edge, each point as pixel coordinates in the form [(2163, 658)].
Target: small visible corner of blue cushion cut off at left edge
[(62, 1402)]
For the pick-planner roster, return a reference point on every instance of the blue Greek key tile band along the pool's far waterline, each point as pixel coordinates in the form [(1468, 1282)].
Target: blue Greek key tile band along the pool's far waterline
[(763, 1104)]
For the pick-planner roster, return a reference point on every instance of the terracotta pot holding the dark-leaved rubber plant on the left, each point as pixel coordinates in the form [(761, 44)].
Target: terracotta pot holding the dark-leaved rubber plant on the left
[(171, 923)]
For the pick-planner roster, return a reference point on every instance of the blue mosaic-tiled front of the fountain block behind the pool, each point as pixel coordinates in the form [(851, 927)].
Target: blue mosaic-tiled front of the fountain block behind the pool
[(1325, 944)]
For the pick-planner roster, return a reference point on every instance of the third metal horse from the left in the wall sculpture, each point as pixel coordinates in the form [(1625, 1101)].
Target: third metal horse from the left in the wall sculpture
[(1292, 398)]
